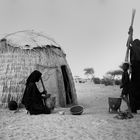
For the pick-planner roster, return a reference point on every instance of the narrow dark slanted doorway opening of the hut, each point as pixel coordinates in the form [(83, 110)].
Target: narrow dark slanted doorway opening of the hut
[(67, 85)]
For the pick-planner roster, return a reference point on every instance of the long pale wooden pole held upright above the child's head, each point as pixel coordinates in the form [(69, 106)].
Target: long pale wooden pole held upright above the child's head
[(130, 36)]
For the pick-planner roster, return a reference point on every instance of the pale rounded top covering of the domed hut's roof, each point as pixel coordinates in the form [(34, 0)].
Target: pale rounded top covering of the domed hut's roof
[(29, 39)]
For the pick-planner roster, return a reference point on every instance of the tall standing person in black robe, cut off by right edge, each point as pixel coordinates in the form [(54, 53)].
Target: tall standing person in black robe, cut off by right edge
[(135, 76)]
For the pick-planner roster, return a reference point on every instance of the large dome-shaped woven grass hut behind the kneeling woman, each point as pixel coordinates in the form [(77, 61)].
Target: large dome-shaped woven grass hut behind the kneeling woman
[(25, 51)]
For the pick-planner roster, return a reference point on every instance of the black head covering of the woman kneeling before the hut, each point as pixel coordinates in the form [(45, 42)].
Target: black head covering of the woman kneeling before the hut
[(34, 77)]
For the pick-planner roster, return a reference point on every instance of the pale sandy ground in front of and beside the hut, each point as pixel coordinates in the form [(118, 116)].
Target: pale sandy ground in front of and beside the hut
[(96, 123)]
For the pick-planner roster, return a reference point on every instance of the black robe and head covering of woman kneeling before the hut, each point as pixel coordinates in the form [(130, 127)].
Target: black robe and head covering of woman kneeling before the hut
[(32, 98)]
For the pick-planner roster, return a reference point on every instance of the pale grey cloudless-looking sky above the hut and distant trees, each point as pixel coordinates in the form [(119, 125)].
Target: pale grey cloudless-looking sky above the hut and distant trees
[(93, 33)]
